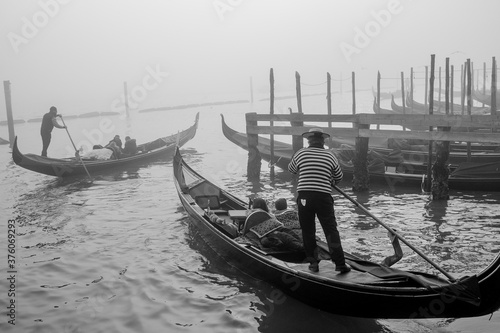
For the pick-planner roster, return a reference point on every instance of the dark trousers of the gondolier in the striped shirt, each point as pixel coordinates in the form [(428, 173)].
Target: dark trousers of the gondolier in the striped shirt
[(311, 204)]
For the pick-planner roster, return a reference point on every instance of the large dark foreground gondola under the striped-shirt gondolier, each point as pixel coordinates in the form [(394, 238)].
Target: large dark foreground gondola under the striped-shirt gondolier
[(370, 290)]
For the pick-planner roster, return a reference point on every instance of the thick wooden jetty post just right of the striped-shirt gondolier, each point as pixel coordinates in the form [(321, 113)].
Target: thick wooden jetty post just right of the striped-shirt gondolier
[(361, 177)]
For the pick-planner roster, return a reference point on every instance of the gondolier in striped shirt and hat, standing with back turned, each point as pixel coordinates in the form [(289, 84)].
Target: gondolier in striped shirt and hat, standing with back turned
[(318, 170)]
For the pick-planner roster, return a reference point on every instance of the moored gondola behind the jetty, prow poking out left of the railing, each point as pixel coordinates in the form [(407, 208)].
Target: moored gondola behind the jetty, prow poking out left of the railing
[(408, 168)]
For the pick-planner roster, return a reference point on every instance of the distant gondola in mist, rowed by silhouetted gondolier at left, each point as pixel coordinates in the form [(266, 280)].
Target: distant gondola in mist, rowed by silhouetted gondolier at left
[(66, 167)]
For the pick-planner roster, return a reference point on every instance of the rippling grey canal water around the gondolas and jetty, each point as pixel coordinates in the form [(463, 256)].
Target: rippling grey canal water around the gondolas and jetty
[(119, 255)]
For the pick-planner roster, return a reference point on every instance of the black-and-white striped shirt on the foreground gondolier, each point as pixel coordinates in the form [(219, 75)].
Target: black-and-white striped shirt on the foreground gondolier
[(318, 169)]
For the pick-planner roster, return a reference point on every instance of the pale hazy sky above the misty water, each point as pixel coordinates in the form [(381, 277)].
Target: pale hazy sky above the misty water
[(79, 52)]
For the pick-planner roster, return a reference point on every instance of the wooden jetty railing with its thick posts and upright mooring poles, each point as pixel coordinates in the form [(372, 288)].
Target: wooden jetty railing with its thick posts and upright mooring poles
[(438, 171)]
